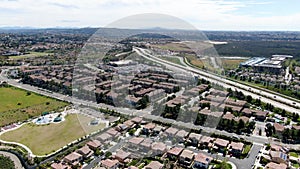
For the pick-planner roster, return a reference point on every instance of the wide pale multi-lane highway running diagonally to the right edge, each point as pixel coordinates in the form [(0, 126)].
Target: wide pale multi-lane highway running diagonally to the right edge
[(277, 101)]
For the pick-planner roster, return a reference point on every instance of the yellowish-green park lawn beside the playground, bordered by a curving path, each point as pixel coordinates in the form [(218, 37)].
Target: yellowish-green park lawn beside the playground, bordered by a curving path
[(44, 139)]
